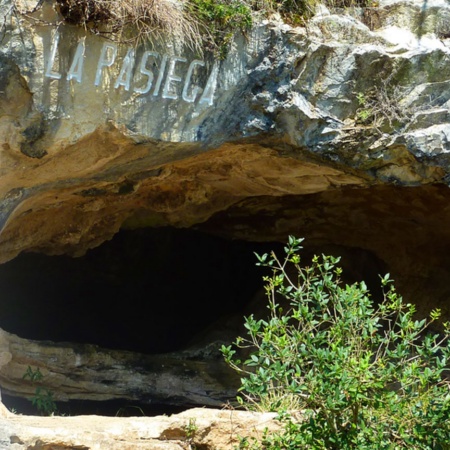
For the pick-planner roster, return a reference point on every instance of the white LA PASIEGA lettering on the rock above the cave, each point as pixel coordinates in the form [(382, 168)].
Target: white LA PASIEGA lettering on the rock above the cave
[(172, 80)]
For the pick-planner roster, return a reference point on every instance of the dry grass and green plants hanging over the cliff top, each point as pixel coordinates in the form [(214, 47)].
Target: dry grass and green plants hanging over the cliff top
[(200, 24)]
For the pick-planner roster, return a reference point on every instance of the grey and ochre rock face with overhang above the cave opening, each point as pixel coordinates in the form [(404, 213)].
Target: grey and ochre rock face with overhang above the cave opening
[(338, 132)]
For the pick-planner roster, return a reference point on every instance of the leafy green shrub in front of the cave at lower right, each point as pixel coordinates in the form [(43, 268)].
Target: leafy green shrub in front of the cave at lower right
[(363, 376)]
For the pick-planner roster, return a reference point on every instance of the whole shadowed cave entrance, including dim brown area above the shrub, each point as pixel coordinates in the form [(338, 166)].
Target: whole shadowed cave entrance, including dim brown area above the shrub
[(155, 291)]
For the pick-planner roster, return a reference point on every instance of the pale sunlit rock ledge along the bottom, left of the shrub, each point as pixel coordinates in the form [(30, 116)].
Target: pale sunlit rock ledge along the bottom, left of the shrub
[(195, 428)]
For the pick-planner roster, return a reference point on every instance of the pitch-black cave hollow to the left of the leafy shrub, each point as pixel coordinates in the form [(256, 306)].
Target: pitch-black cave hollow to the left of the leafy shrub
[(150, 291)]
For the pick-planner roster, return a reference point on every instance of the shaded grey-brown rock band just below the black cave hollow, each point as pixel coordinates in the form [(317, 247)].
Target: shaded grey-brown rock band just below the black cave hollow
[(91, 373)]
